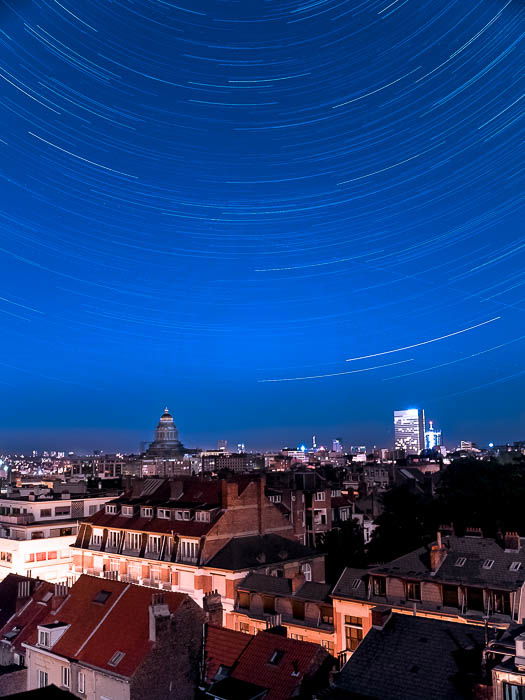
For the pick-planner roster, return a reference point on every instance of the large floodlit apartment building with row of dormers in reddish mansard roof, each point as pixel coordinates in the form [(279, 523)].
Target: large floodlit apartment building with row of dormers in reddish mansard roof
[(192, 536)]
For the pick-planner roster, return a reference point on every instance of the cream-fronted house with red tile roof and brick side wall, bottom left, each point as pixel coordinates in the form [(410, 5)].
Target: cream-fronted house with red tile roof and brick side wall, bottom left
[(112, 640)]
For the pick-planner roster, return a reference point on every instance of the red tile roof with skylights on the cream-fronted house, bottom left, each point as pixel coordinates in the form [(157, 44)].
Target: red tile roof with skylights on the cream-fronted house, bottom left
[(97, 630)]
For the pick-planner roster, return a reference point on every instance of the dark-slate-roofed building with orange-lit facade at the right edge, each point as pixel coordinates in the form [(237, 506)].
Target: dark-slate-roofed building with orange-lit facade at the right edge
[(470, 579)]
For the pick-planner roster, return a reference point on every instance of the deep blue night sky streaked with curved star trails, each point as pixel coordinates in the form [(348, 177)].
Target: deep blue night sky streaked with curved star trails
[(197, 196)]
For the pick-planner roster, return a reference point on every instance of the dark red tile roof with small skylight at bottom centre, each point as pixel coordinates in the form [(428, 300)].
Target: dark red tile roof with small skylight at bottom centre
[(252, 662)]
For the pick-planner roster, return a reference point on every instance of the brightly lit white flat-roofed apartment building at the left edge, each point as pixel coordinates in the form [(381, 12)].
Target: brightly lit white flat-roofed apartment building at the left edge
[(37, 528)]
